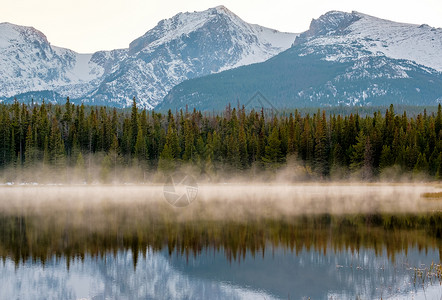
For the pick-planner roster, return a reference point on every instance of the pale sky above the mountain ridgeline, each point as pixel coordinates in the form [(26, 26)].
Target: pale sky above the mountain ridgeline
[(91, 25)]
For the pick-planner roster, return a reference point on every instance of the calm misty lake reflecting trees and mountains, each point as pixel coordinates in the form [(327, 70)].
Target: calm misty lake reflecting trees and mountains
[(69, 246)]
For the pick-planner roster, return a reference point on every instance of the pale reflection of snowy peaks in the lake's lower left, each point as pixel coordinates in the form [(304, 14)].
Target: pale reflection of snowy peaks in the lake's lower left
[(114, 278)]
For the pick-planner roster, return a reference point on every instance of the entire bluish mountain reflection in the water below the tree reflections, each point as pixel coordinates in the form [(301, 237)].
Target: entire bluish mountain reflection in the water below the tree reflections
[(278, 274)]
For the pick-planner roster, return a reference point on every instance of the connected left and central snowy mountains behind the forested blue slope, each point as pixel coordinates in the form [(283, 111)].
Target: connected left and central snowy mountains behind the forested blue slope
[(185, 46)]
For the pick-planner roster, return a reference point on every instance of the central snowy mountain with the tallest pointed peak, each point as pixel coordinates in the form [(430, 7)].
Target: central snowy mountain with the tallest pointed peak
[(186, 46)]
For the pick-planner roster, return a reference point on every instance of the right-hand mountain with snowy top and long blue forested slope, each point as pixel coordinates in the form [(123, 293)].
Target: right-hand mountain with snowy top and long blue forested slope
[(343, 59)]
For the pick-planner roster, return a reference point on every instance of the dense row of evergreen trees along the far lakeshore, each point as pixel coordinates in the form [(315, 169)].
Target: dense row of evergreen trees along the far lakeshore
[(60, 137)]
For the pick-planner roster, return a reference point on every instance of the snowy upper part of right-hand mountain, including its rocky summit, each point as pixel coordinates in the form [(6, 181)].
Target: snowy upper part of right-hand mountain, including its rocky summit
[(367, 35)]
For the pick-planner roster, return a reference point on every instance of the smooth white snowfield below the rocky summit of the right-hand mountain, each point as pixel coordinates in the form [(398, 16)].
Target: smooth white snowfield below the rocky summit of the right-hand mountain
[(421, 44)]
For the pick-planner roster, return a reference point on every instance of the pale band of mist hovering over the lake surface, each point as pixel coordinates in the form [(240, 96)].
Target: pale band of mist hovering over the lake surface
[(226, 201)]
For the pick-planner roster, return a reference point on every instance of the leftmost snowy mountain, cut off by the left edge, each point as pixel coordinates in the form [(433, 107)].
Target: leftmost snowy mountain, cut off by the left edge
[(30, 63)]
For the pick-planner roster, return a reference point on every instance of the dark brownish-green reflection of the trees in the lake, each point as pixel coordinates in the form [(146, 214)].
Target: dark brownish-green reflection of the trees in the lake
[(40, 236)]
